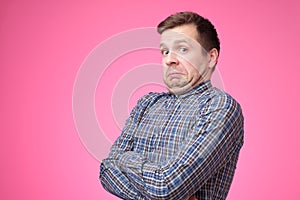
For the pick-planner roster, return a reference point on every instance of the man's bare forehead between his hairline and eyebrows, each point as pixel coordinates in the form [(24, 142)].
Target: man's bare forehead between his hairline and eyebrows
[(185, 33)]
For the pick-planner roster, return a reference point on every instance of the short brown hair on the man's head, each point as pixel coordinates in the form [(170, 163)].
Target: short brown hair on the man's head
[(208, 36)]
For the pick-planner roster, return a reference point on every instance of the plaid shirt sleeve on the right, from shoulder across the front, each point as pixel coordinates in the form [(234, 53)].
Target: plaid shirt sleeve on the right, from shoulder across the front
[(214, 138)]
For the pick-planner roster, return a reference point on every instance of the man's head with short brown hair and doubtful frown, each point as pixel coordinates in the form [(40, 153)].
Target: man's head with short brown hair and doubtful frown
[(190, 49)]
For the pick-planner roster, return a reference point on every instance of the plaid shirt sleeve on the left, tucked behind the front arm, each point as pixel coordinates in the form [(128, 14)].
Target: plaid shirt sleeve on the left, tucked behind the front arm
[(112, 178)]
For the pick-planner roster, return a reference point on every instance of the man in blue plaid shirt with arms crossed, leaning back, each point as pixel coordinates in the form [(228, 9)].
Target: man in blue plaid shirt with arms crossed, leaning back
[(183, 144)]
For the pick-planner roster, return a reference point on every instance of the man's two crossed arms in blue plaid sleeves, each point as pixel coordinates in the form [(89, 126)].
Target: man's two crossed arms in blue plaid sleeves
[(213, 140)]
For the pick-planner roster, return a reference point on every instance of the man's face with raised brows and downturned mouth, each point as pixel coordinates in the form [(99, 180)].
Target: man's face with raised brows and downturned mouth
[(185, 62)]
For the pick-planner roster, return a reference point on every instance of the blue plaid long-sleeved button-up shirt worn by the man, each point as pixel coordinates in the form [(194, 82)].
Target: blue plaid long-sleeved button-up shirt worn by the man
[(175, 147)]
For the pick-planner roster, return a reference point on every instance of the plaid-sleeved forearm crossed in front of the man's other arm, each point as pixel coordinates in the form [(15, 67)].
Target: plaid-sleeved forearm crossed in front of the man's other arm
[(178, 179)]
